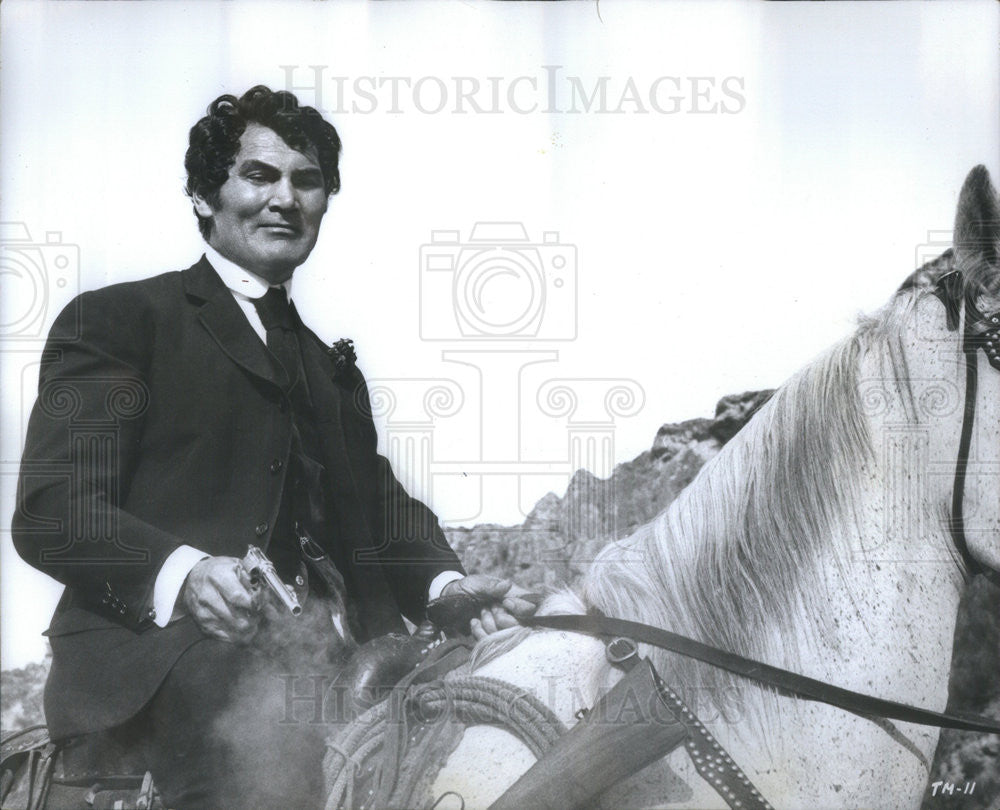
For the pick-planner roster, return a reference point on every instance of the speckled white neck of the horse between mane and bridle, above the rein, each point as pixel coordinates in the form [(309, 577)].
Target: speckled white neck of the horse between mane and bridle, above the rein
[(891, 584)]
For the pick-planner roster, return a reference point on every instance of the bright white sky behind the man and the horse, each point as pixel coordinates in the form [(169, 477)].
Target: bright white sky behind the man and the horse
[(713, 252)]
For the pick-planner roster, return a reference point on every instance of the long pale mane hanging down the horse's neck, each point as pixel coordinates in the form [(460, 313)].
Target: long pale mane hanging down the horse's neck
[(742, 553)]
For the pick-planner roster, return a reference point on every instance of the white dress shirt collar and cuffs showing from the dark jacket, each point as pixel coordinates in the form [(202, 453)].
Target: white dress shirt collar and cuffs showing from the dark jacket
[(245, 287)]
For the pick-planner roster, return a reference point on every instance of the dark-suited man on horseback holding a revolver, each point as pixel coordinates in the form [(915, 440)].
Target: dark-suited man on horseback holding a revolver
[(201, 416)]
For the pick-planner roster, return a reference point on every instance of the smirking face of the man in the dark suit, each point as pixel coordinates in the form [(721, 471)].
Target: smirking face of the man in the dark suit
[(270, 207)]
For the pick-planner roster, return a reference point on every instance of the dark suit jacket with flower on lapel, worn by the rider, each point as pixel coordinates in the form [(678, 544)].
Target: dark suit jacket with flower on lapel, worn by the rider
[(160, 421)]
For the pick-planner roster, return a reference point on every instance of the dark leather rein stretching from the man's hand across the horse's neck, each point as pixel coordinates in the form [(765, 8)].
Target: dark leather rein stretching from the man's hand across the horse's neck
[(797, 685)]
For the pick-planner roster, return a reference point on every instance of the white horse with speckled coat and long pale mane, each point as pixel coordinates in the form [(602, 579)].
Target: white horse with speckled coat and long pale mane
[(818, 541)]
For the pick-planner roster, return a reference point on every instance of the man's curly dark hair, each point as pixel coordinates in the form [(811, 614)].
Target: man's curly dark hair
[(215, 140)]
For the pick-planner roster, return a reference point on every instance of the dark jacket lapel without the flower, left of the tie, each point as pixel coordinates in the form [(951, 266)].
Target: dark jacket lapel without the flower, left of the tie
[(226, 323)]
